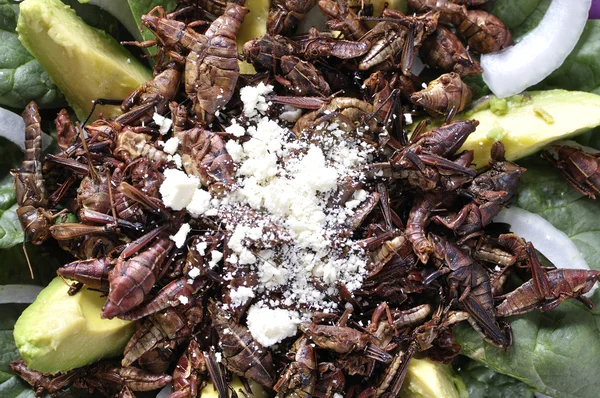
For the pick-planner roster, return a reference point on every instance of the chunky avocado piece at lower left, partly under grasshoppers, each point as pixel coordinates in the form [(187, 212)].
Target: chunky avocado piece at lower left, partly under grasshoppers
[(58, 332)]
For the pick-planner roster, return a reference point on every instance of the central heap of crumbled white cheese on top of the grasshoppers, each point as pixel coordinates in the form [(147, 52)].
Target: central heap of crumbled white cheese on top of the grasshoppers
[(291, 184)]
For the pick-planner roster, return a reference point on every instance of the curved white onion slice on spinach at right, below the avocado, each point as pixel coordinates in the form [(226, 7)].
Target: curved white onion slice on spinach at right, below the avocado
[(550, 241)]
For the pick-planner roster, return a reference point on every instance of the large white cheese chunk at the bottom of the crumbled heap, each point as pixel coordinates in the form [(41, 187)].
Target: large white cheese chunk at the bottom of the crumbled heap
[(271, 326)]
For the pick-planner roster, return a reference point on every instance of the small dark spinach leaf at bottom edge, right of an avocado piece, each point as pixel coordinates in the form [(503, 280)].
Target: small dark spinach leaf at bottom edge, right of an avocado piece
[(483, 382)]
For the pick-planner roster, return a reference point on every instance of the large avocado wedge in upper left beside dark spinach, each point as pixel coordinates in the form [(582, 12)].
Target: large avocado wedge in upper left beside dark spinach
[(85, 63)]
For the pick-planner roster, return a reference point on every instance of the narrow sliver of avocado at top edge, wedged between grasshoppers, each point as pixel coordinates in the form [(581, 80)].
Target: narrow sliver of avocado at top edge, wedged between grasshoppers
[(254, 26)]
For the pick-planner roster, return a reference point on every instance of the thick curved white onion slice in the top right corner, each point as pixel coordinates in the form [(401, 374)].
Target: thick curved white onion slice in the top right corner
[(540, 52)]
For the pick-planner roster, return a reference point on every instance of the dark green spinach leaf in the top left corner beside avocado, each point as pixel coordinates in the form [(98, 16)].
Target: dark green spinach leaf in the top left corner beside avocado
[(22, 78)]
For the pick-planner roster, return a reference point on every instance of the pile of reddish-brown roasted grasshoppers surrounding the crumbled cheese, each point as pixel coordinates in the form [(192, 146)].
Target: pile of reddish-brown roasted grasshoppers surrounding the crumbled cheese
[(435, 257)]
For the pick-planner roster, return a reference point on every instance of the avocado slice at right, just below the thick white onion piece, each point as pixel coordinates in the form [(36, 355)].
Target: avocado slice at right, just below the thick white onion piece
[(526, 123)]
